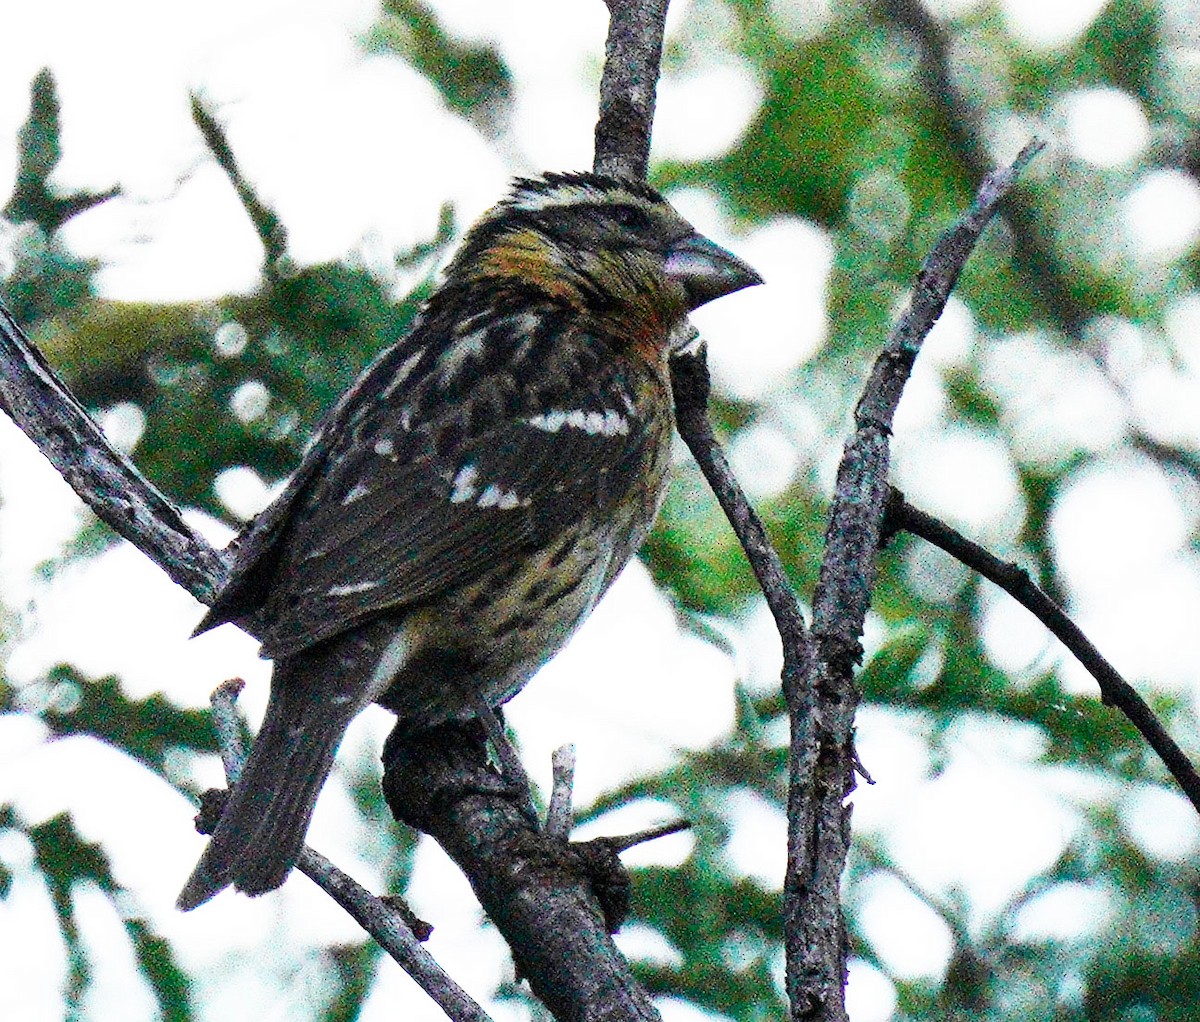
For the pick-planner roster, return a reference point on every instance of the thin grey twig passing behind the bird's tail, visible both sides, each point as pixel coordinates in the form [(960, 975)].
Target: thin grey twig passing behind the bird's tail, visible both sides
[(383, 923)]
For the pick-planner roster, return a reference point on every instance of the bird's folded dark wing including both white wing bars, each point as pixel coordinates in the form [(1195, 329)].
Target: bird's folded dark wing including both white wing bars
[(398, 515)]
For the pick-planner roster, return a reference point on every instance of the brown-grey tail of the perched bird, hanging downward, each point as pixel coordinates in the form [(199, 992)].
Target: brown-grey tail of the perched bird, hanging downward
[(265, 820)]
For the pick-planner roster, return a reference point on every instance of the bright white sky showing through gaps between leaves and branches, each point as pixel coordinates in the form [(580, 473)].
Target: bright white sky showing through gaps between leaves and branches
[(309, 115)]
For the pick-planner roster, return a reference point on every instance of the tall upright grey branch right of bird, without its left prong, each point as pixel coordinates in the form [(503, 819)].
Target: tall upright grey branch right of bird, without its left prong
[(821, 760)]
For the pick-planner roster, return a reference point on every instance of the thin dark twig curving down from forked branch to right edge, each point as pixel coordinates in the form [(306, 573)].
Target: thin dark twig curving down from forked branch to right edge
[(1017, 584)]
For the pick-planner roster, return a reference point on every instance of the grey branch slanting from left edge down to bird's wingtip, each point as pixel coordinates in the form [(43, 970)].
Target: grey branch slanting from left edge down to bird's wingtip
[(37, 400)]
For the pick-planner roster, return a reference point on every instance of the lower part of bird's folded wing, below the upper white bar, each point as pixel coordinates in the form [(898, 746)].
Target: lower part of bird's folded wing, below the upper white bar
[(419, 528)]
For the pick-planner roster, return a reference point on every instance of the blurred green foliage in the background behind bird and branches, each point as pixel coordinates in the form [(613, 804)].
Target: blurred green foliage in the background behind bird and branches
[(877, 124)]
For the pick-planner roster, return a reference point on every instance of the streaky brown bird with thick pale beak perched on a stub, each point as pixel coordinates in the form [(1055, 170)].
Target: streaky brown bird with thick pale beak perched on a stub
[(470, 500)]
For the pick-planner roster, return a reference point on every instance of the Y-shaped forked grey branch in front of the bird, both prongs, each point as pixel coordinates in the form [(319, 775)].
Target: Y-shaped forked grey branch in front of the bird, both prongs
[(820, 690)]
